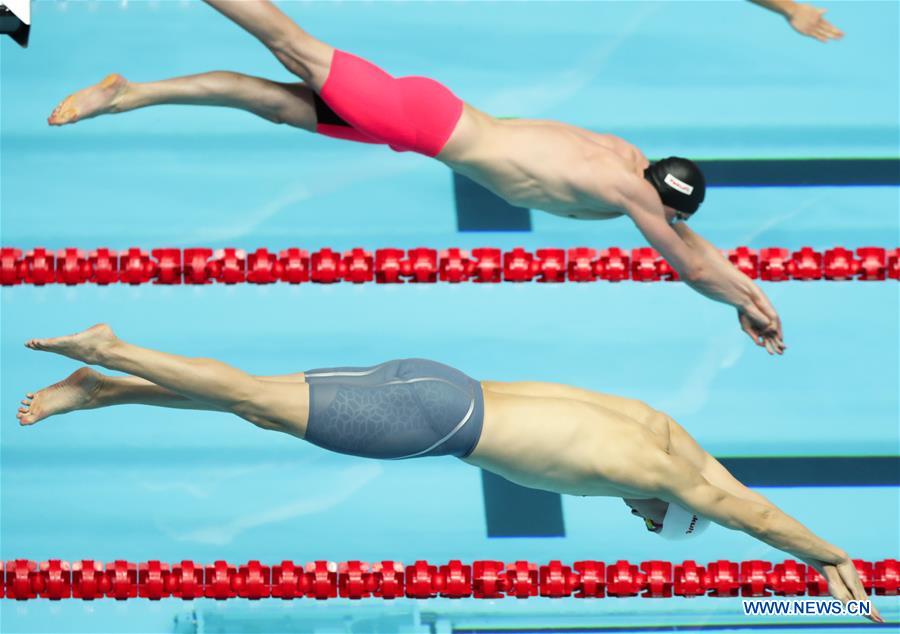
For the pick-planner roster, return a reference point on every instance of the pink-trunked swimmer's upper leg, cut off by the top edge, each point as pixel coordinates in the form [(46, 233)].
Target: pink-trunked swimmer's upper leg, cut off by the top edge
[(301, 53)]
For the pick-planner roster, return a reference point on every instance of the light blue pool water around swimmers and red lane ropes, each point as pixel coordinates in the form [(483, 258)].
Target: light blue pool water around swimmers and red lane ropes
[(702, 79)]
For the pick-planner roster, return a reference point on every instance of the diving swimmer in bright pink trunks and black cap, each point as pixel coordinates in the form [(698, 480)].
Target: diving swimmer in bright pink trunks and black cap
[(532, 163)]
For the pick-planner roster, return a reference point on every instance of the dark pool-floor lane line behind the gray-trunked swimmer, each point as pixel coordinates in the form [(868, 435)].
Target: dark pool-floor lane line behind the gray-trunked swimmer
[(514, 511)]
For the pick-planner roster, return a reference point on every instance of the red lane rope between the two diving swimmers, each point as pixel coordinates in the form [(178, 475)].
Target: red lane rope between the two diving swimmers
[(72, 266)]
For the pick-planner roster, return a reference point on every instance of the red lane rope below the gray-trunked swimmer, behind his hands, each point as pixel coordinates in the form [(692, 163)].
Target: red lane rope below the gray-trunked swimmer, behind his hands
[(23, 579)]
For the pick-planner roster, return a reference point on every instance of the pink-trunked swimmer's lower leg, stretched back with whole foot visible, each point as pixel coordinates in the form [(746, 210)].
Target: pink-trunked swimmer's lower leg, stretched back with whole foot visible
[(290, 103)]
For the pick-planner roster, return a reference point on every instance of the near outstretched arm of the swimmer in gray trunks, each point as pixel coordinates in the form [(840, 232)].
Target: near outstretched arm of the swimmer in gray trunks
[(674, 479)]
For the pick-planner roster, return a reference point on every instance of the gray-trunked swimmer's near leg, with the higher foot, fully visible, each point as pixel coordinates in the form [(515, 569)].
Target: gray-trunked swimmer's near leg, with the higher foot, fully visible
[(222, 387)]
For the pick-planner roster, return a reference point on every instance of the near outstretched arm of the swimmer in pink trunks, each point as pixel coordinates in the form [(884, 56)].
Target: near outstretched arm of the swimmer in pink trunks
[(691, 260)]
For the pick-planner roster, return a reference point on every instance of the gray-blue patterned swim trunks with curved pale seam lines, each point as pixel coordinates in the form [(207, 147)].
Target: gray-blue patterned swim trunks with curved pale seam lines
[(407, 408)]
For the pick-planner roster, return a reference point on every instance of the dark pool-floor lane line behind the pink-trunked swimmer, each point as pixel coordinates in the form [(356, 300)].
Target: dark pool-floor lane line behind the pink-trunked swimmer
[(477, 209)]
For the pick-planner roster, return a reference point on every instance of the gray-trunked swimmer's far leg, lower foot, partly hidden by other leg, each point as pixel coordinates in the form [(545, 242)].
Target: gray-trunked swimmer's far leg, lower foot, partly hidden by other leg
[(88, 389)]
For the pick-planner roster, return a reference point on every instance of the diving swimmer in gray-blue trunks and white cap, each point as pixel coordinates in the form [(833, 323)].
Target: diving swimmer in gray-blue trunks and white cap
[(598, 445)]
